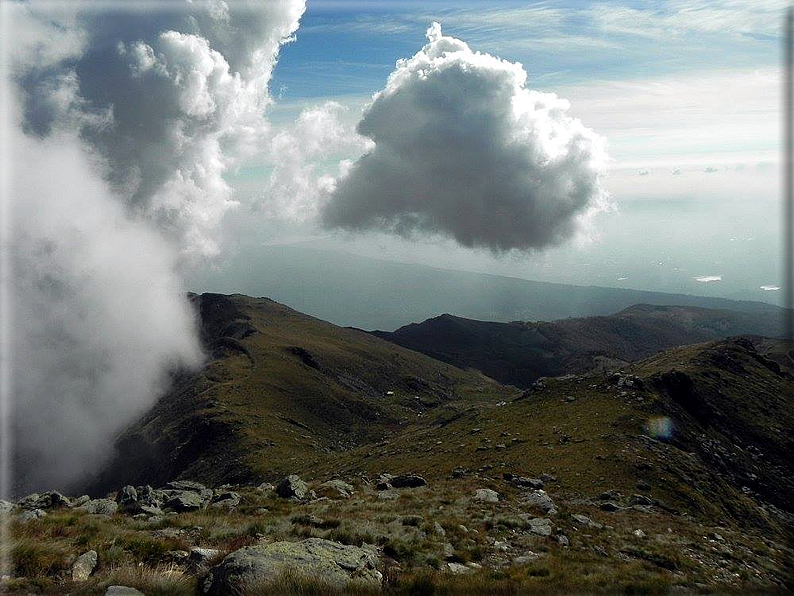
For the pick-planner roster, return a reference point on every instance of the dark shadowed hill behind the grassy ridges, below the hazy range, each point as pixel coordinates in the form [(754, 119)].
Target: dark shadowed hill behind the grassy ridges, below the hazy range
[(519, 353)]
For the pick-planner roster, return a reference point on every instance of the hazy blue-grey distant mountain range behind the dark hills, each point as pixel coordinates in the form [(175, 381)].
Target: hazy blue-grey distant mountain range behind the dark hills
[(372, 294)]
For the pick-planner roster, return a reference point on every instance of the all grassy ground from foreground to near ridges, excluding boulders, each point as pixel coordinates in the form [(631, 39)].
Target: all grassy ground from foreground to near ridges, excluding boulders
[(683, 462)]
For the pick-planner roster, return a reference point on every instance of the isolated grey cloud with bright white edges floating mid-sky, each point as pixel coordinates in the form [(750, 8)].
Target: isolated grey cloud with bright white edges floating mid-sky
[(463, 149)]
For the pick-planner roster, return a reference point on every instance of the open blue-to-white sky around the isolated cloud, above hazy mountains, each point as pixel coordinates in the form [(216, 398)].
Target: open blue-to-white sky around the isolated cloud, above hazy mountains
[(686, 94)]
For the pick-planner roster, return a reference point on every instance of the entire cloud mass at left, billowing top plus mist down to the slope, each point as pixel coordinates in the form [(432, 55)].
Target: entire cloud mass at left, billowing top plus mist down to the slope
[(122, 124)]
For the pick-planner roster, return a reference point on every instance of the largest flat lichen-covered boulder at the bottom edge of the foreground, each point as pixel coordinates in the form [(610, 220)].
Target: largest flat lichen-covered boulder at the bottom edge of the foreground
[(335, 563)]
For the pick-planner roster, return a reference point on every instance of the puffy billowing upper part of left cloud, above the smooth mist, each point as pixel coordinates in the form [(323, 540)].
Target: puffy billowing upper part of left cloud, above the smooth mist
[(183, 90)]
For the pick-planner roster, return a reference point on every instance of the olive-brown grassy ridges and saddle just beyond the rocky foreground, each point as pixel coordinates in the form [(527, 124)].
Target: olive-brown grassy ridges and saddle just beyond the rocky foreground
[(287, 393)]
